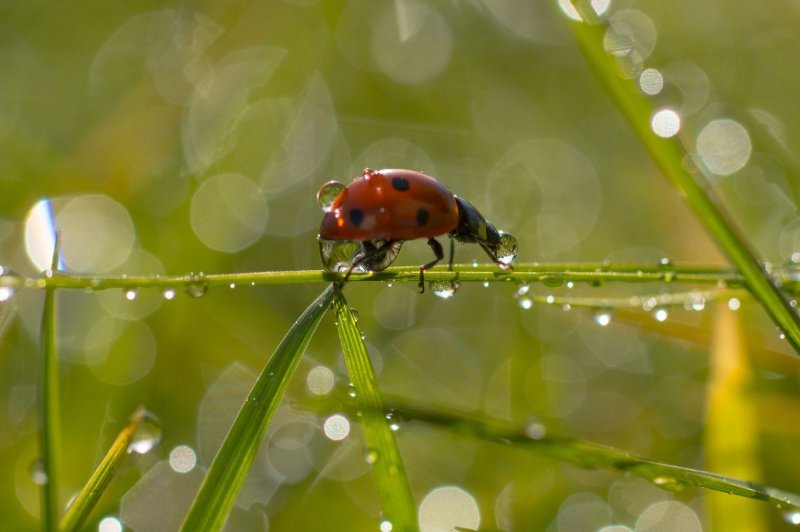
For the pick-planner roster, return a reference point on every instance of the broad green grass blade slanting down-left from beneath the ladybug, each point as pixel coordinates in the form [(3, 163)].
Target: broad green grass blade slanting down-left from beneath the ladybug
[(230, 467)]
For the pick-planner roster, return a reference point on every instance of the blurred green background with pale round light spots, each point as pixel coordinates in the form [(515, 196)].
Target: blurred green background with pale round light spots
[(192, 137)]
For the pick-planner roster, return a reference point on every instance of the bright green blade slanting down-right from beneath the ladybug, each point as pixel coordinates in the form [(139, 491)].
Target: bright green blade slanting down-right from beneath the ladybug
[(383, 454)]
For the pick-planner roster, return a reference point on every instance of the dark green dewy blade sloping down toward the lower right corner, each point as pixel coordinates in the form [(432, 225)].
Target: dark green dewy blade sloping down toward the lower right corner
[(594, 456)]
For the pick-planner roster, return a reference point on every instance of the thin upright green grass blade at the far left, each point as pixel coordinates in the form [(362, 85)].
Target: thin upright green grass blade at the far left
[(50, 406)]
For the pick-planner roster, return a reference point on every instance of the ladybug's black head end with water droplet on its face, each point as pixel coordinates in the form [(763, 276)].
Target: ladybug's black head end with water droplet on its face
[(473, 228)]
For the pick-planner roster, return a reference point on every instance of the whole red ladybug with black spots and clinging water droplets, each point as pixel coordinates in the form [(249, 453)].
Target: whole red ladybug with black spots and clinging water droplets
[(381, 209)]
